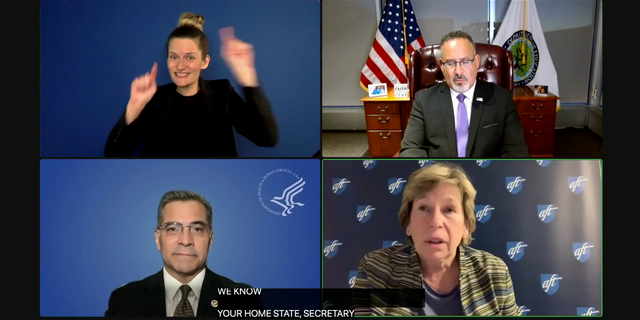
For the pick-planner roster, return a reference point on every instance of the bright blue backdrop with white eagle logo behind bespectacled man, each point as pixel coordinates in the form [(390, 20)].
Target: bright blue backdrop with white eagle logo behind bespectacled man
[(97, 219)]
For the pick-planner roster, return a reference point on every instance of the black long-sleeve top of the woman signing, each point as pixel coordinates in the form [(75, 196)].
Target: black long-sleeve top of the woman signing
[(172, 125)]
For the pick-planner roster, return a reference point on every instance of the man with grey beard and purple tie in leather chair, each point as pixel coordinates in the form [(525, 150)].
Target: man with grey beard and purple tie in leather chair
[(463, 117)]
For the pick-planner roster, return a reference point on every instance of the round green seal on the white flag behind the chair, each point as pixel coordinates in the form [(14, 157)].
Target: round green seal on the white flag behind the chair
[(523, 72)]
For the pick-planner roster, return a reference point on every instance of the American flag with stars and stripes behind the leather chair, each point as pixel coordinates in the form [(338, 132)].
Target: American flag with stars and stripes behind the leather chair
[(389, 56)]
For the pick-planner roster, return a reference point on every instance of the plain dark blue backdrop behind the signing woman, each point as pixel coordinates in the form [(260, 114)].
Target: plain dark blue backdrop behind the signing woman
[(92, 50)]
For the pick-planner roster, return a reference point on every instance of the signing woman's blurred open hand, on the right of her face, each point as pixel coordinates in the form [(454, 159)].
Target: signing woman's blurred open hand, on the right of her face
[(239, 57)]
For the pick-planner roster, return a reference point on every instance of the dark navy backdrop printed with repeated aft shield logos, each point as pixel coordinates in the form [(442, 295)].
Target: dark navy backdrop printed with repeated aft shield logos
[(547, 227)]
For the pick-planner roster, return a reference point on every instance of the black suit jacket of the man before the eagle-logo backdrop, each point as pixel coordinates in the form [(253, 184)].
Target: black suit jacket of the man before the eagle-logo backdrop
[(146, 297)]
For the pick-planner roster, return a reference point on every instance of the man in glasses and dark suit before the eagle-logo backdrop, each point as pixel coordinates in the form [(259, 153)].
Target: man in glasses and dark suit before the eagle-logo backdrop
[(185, 287)]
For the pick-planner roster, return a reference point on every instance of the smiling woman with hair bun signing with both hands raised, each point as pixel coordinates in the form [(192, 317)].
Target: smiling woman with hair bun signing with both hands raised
[(193, 117)]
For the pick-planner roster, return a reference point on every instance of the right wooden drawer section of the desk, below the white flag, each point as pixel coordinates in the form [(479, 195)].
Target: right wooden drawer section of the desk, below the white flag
[(538, 117)]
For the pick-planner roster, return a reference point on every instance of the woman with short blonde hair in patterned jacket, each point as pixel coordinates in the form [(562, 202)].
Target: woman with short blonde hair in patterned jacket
[(437, 214)]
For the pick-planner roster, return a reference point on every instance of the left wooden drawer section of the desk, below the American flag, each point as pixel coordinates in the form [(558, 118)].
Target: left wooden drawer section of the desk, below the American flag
[(386, 119)]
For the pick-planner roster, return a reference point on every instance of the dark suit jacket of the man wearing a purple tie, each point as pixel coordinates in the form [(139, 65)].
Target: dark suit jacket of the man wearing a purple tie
[(494, 129)]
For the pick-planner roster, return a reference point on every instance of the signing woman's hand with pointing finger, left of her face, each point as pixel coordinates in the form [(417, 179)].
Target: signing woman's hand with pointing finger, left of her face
[(142, 90)]
